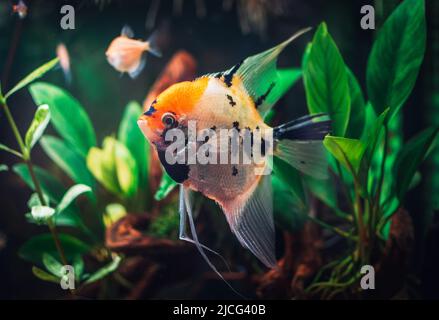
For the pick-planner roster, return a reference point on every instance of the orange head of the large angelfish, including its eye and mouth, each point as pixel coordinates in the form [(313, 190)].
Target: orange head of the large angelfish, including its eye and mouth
[(171, 109)]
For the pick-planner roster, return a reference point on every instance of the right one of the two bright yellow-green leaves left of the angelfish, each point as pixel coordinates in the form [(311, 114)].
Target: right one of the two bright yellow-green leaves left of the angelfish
[(126, 170)]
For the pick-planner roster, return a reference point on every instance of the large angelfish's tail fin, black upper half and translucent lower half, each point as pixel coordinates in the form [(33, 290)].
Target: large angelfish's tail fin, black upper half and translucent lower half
[(299, 143)]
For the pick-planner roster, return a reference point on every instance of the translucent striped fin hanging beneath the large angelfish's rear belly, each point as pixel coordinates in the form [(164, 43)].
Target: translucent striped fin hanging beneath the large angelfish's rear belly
[(252, 222)]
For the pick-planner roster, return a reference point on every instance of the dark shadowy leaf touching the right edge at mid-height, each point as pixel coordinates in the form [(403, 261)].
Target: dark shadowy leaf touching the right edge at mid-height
[(409, 159)]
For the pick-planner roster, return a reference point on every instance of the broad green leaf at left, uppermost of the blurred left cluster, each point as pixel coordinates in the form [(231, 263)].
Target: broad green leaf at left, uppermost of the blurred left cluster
[(67, 116)]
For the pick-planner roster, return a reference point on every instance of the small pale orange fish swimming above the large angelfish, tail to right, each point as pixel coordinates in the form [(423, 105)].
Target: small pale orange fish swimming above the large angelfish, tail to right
[(126, 54)]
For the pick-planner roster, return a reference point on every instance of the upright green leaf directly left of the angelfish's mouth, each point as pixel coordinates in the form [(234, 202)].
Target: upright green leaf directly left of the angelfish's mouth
[(131, 136)]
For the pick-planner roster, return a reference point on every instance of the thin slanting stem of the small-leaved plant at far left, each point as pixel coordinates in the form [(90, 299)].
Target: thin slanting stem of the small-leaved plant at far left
[(25, 153)]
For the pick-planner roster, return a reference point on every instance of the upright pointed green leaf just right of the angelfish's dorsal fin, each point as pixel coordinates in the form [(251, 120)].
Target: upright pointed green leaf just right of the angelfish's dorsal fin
[(326, 81)]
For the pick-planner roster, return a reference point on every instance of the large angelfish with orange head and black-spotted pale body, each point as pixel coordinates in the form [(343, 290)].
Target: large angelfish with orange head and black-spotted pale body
[(237, 98)]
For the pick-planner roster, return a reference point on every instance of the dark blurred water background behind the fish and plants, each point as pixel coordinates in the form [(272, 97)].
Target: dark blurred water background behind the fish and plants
[(217, 42)]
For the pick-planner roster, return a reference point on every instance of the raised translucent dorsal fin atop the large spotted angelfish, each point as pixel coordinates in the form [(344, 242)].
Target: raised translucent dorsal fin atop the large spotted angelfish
[(259, 74)]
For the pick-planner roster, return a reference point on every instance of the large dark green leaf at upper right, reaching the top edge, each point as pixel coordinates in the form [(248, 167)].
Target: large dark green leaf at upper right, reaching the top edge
[(396, 57)]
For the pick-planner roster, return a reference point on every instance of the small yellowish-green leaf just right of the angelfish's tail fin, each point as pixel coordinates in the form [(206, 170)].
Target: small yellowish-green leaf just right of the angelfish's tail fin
[(349, 152)]
